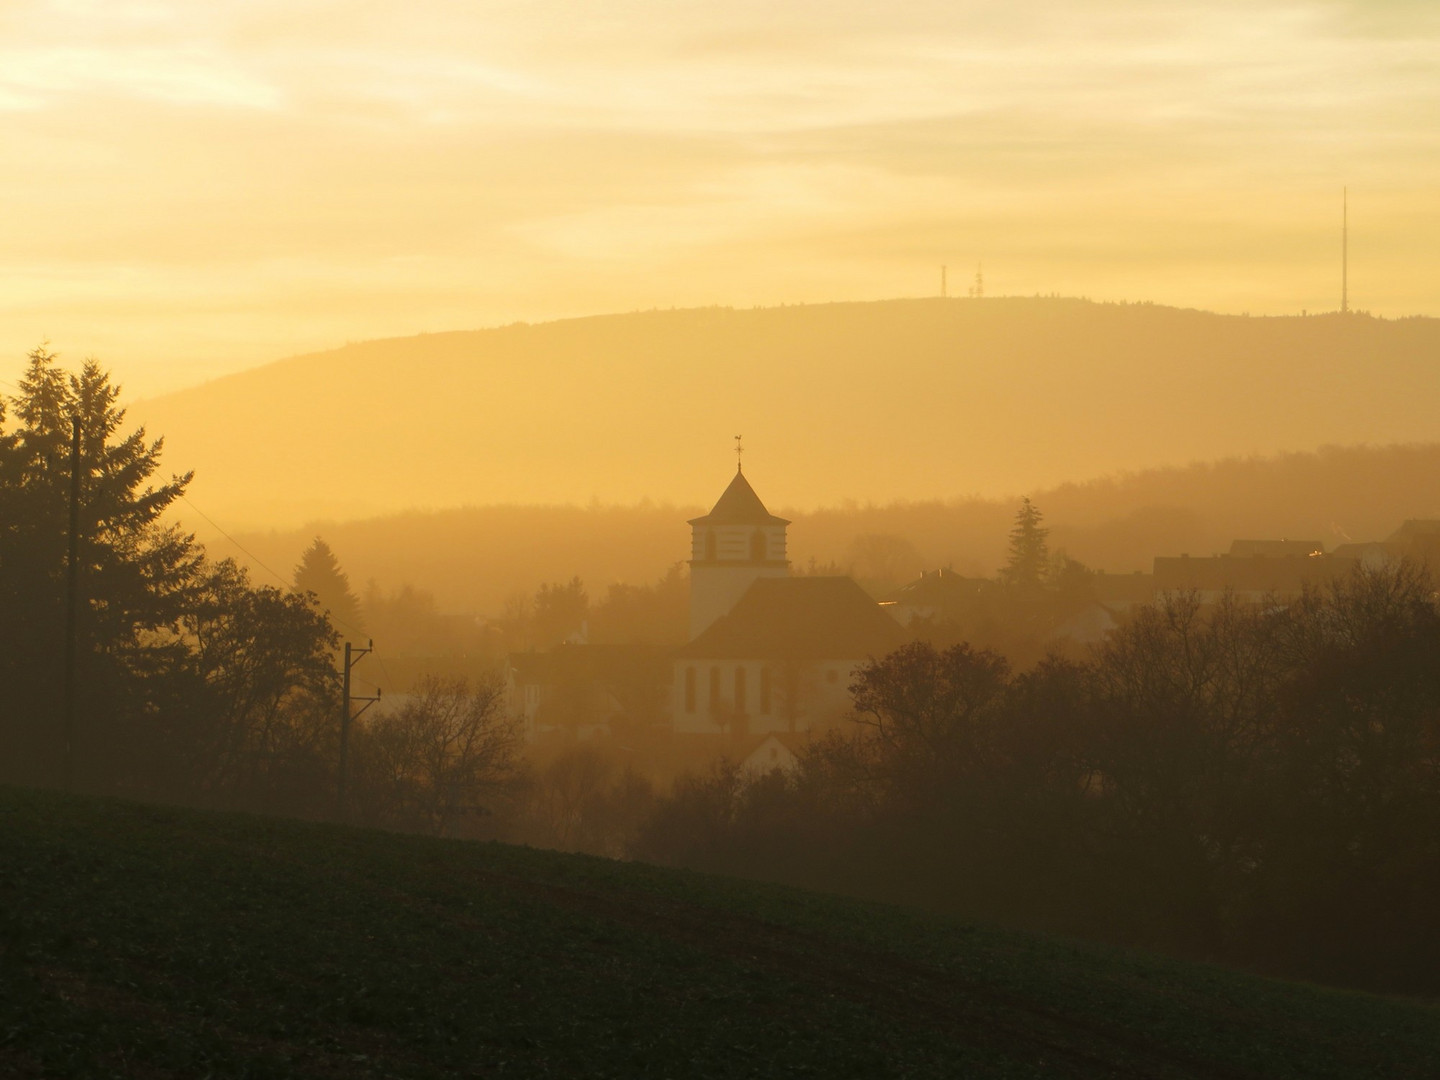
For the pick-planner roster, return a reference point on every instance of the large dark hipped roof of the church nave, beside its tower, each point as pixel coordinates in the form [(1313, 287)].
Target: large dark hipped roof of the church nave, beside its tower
[(800, 618)]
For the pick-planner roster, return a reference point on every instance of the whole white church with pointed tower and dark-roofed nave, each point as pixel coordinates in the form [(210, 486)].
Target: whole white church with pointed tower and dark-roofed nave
[(768, 652)]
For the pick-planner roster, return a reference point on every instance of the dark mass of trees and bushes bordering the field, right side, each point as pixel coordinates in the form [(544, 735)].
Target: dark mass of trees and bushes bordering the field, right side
[(1241, 784)]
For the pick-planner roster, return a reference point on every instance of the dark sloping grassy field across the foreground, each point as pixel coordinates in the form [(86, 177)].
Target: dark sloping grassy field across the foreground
[(140, 941)]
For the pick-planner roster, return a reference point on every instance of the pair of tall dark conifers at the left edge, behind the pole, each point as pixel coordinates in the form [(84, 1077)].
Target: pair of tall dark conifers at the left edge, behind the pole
[(135, 574)]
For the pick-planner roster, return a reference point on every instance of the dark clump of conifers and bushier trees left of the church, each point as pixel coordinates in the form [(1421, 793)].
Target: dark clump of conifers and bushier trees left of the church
[(135, 663)]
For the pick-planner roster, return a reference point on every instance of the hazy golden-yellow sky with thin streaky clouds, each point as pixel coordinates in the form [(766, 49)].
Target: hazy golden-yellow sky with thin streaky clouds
[(195, 188)]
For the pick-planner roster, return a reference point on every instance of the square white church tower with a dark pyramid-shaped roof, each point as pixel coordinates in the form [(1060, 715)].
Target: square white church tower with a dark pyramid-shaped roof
[(731, 548)]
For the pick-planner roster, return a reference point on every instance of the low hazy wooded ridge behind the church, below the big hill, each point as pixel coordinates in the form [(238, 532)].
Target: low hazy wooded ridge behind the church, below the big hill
[(479, 559)]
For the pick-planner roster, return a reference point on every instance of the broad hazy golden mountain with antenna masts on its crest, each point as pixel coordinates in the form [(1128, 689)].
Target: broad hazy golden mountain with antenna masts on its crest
[(872, 402)]
